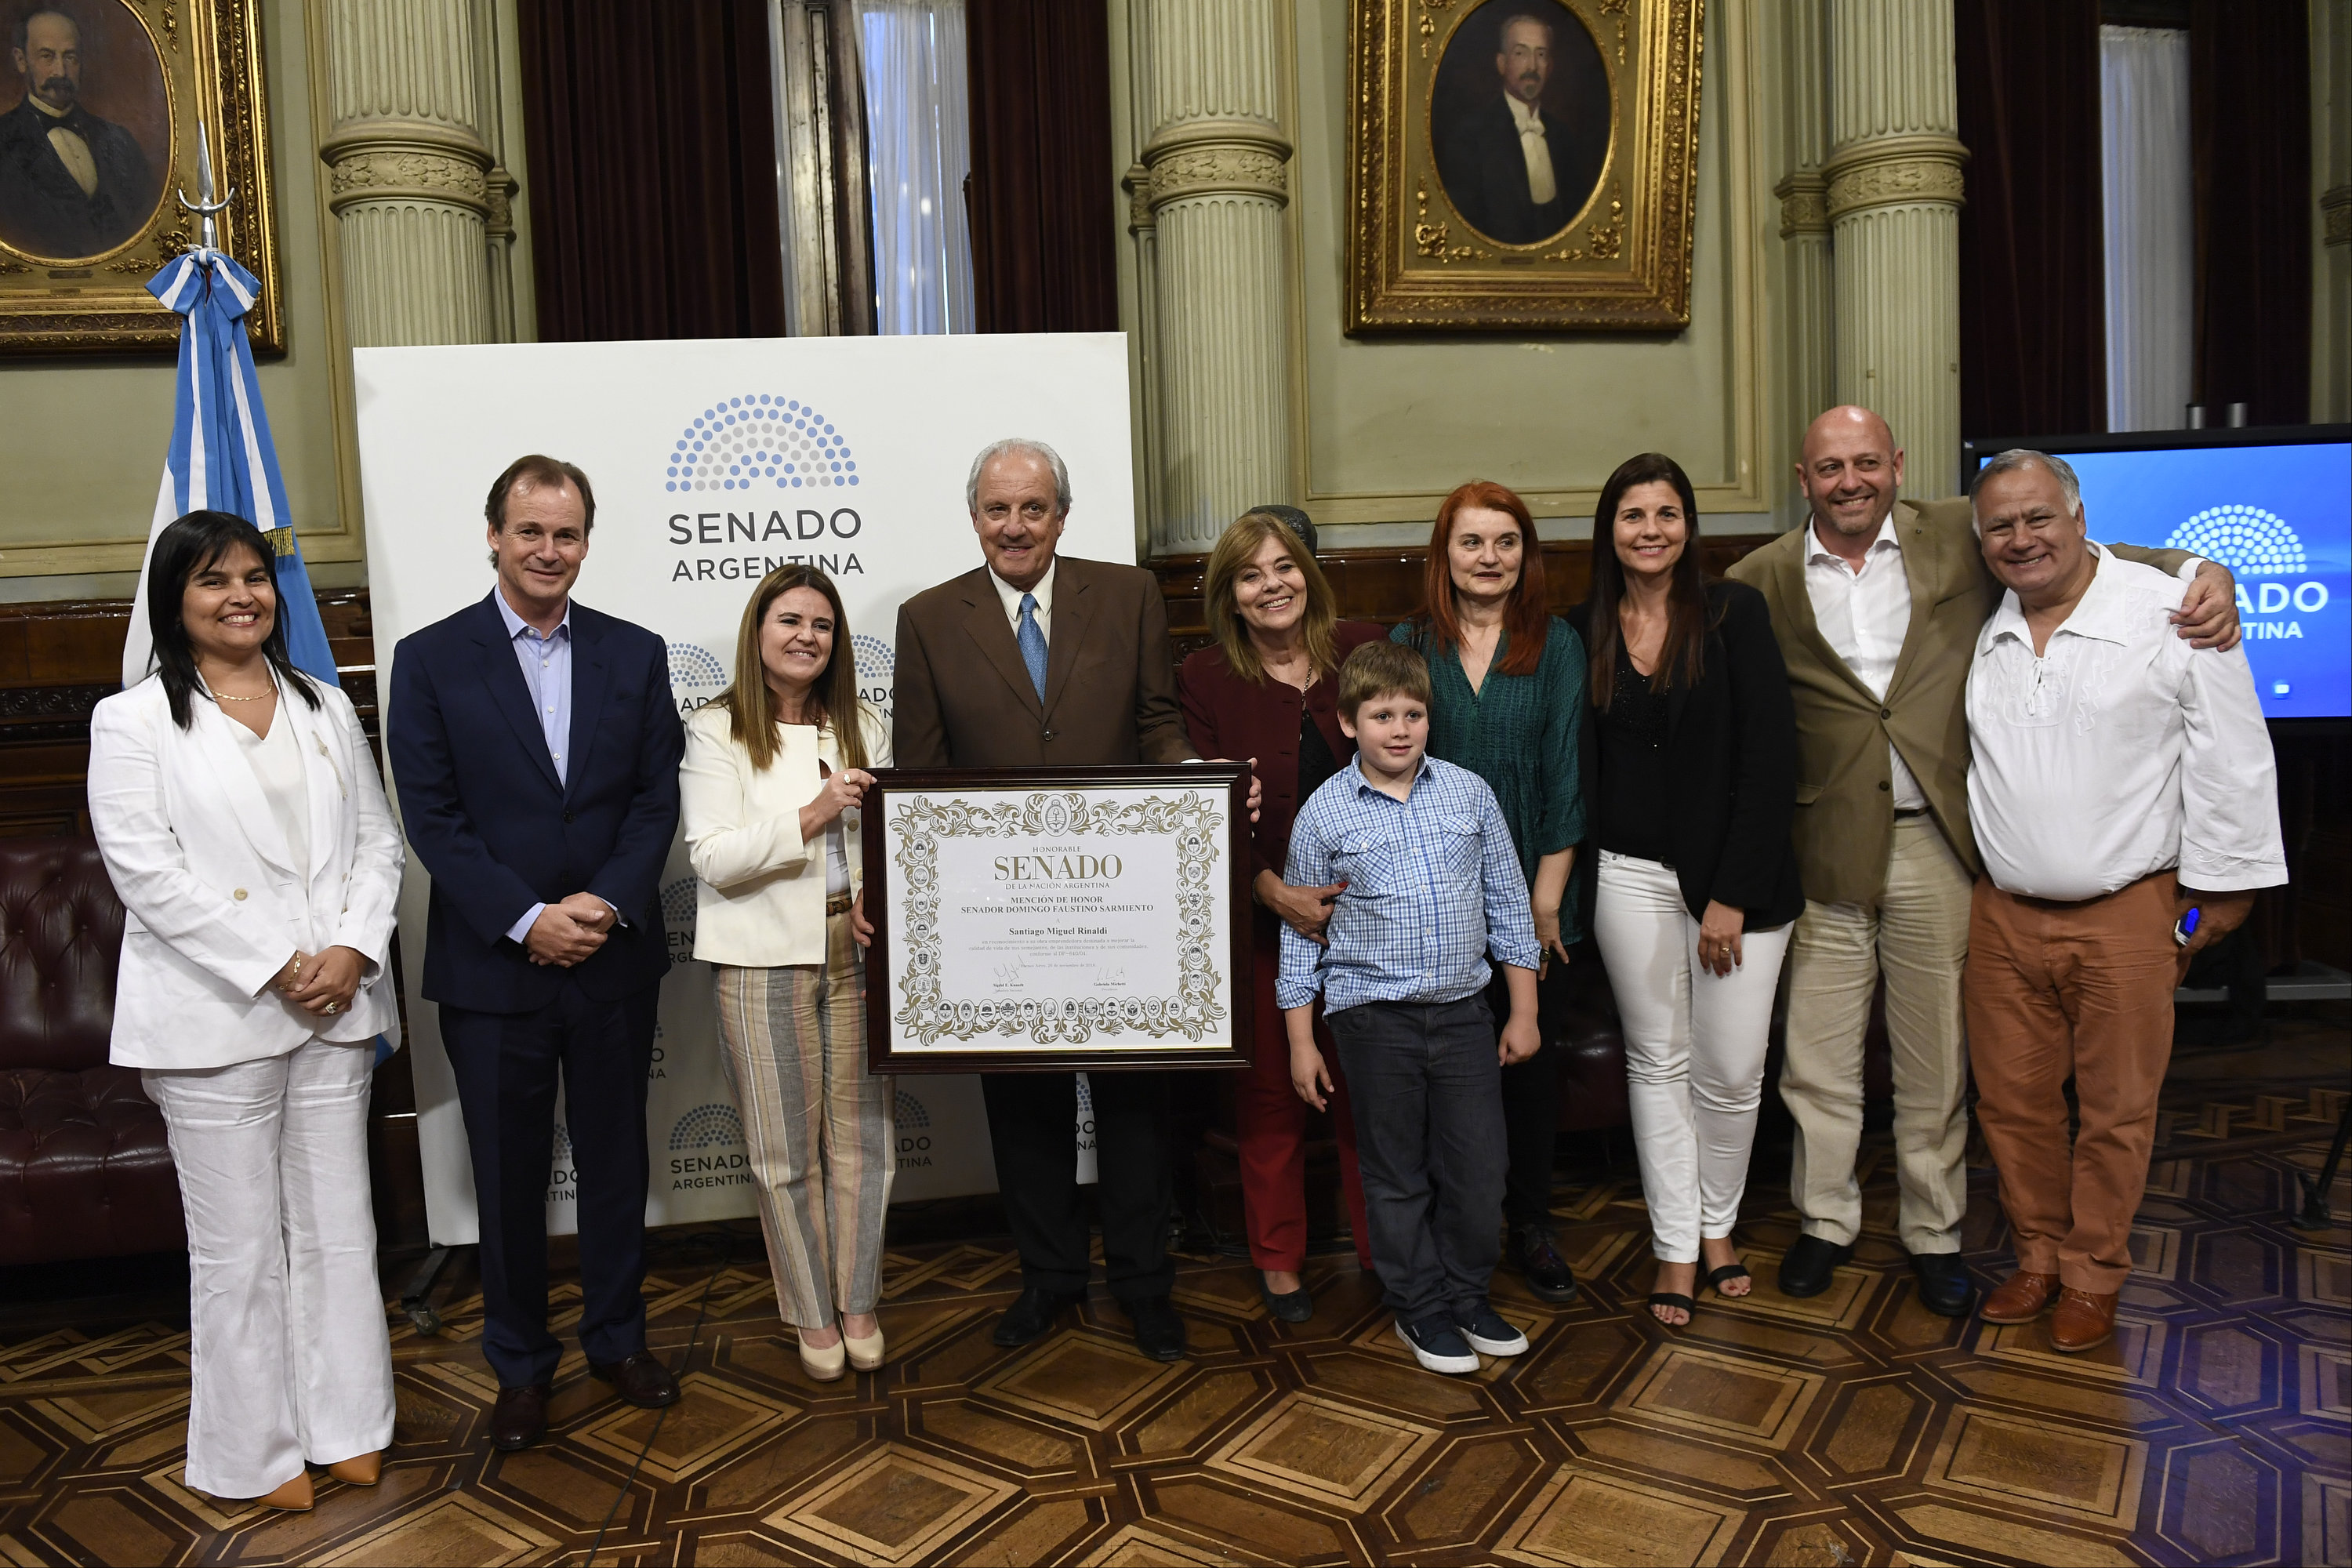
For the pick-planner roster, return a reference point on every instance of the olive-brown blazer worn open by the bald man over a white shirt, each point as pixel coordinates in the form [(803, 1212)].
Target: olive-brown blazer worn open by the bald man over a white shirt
[(1845, 786)]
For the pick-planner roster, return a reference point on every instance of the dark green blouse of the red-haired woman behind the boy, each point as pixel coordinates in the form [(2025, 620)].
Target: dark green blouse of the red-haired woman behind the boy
[(1518, 732)]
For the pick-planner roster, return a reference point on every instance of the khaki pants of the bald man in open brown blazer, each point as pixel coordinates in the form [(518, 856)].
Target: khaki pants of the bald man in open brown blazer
[(1918, 937)]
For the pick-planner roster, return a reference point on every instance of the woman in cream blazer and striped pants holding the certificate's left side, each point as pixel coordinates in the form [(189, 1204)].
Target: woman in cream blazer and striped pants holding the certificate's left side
[(770, 798)]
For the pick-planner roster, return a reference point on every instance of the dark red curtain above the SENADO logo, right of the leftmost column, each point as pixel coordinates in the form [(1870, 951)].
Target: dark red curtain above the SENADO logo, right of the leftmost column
[(653, 182)]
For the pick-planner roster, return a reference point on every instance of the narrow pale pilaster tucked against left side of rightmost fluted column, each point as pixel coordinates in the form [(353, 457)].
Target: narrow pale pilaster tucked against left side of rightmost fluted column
[(1810, 323)]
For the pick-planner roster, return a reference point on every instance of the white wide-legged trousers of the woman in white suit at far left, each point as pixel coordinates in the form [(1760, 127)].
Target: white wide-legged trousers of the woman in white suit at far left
[(288, 1341)]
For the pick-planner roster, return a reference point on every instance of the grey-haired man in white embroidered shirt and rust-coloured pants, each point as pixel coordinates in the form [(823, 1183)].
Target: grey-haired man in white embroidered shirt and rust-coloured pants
[(2120, 782)]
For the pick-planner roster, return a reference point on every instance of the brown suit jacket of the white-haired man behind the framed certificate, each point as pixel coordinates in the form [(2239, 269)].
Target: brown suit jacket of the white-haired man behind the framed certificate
[(965, 699)]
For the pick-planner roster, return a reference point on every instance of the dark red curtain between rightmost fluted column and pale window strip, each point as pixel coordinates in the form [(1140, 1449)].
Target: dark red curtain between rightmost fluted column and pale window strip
[(2033, 319)]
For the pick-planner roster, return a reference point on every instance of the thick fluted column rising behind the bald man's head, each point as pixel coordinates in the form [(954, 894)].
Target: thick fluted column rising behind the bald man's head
[(1895, 196)]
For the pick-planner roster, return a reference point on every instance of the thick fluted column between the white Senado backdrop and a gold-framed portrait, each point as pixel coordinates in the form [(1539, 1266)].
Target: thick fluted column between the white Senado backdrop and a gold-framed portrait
[(1215, 185)]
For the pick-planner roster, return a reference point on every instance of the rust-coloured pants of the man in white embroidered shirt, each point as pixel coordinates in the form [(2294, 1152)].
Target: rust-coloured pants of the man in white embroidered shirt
[(2071, 991)]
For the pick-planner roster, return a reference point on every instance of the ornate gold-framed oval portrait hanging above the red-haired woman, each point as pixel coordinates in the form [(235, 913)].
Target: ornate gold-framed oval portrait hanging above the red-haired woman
[(1523, 166)]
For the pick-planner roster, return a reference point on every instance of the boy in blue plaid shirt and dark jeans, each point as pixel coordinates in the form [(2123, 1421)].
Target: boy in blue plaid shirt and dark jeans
[(1434, 887)]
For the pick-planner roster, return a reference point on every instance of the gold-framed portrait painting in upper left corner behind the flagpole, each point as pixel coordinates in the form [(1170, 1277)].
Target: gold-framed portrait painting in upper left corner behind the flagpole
[(100, 105)]
